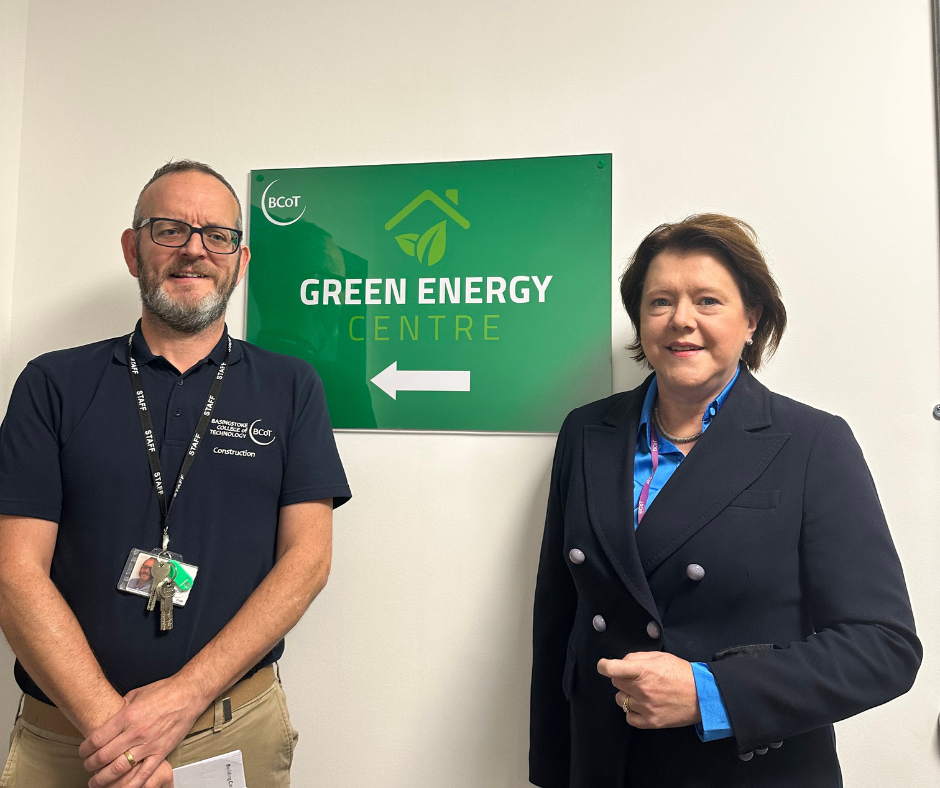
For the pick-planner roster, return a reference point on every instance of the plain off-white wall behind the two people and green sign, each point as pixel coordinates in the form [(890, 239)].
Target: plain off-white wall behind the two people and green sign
[(814, 121)]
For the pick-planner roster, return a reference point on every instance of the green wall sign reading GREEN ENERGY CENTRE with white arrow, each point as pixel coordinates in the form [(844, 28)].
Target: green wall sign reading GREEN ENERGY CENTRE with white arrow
[(454, 296)]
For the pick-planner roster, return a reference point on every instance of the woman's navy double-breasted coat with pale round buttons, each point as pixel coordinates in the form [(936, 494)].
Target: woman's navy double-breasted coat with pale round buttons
[(777, 504)]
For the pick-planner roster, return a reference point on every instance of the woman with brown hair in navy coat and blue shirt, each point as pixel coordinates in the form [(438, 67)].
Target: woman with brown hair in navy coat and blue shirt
[(717, 584)]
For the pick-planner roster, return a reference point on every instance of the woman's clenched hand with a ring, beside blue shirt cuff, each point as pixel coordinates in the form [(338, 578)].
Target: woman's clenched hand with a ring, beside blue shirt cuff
[(660, 688)]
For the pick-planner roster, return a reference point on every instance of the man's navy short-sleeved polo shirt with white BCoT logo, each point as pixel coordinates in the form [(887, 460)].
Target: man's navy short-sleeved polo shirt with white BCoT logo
[(72, 451)]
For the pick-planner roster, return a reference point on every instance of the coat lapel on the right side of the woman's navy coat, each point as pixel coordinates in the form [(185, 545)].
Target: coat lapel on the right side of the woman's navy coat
[(729, 457)]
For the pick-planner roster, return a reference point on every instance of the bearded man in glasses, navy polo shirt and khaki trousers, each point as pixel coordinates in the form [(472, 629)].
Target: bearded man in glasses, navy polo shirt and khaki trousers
[(94, 445)]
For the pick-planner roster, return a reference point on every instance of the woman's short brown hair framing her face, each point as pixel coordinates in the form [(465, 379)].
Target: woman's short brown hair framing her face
[(732, 242)]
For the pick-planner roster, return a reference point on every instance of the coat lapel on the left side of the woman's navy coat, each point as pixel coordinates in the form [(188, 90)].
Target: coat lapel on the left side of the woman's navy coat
[(608, 473)]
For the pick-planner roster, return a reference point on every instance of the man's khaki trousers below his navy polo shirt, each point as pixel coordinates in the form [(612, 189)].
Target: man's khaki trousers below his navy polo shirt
[(261, 729)]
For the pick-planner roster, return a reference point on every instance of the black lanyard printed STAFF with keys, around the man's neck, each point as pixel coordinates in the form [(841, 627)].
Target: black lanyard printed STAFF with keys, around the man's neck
[(164, 581)]
